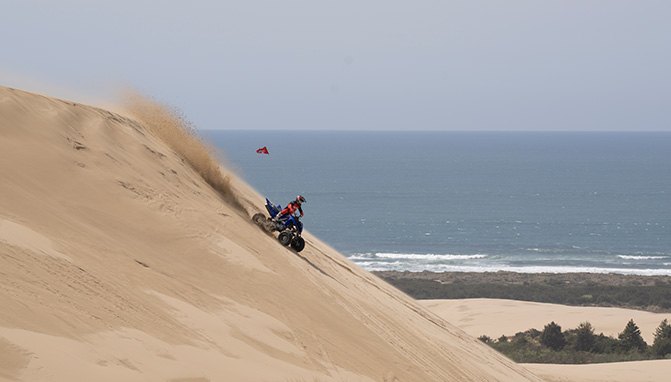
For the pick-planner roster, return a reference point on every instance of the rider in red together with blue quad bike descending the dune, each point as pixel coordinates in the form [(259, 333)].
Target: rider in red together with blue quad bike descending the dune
[(286, 221)]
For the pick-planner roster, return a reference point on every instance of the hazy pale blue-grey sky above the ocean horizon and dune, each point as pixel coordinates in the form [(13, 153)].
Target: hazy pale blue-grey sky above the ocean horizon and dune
[(355, 64)]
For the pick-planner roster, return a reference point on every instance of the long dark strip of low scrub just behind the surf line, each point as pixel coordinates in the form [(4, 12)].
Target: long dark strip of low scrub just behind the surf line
[(652, 293)]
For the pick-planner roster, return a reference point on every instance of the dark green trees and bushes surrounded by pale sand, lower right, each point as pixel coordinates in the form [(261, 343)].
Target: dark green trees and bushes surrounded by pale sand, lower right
[(581, 345)]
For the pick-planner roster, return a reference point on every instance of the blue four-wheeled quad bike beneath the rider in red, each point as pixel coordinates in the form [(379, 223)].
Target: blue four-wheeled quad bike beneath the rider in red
[(290, 227)]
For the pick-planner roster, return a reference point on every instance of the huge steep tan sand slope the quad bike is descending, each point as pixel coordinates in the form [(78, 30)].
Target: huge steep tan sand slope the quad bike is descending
[(118, 262)]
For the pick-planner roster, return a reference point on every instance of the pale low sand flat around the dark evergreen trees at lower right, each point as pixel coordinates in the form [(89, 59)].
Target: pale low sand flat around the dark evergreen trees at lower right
[(495, 317)]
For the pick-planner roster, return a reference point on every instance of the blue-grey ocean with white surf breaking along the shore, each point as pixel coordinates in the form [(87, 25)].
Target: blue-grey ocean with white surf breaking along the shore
[(472, 201)]
